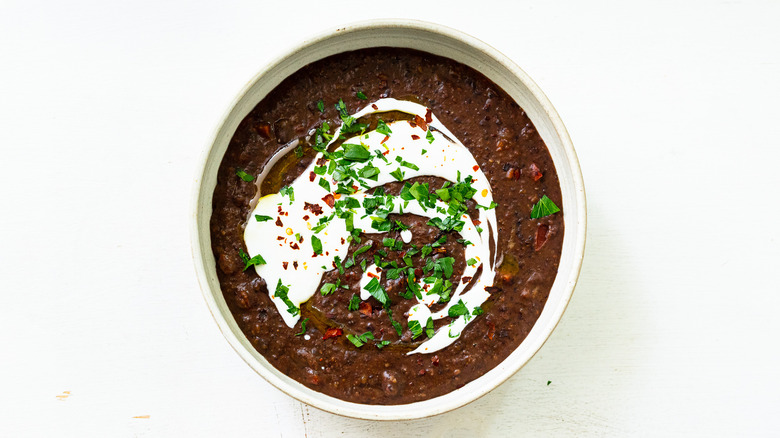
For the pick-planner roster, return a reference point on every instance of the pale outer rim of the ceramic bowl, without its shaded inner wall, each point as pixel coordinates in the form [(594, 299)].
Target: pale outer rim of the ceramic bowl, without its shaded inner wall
[(385, 412)]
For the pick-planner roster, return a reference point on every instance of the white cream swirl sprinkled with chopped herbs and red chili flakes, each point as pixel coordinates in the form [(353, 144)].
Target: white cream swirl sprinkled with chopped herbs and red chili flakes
[(301, 236)]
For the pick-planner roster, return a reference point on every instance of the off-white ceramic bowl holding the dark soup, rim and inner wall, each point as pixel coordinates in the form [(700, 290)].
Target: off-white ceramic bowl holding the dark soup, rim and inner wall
[(441, 41)]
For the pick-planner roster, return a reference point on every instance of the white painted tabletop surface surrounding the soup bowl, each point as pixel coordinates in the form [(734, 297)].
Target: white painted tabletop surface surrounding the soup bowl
[(673, 110)]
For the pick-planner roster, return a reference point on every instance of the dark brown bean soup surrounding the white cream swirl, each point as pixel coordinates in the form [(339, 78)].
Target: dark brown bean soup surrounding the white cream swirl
[(332, 353)]
